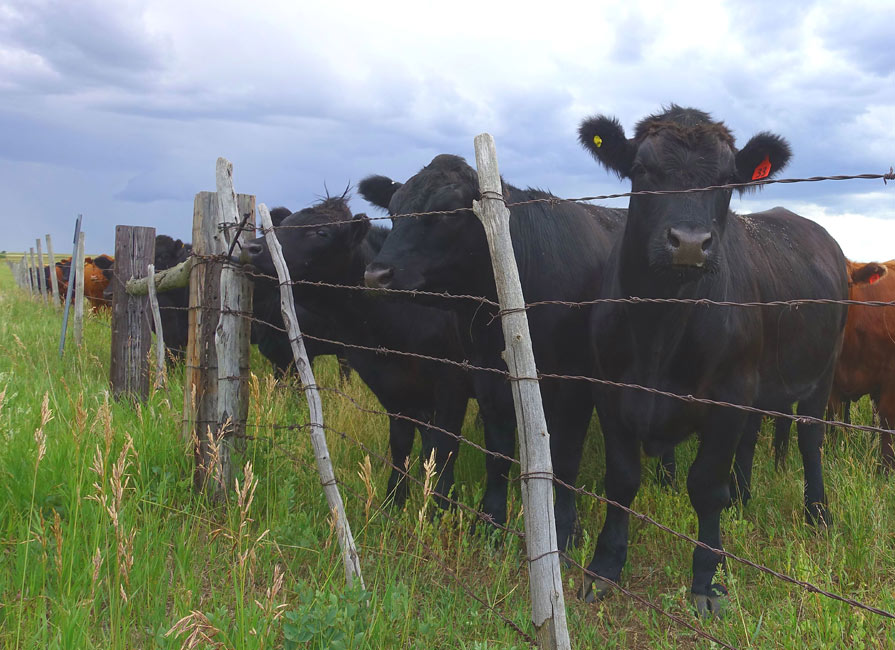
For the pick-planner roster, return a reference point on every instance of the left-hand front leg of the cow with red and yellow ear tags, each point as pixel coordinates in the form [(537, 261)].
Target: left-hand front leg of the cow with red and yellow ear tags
[(622, 483)]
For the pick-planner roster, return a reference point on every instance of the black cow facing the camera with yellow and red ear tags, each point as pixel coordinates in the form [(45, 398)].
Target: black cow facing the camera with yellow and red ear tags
[(693, 246)]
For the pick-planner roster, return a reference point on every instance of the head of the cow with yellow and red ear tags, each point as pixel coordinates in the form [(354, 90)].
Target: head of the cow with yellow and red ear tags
[(680, 235)]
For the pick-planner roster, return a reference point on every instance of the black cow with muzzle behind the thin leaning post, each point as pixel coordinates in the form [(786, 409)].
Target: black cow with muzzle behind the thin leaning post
[(336, 250)]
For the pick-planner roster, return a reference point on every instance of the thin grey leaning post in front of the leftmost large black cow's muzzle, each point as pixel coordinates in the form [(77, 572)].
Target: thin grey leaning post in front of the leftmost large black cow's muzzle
[(315, 407)]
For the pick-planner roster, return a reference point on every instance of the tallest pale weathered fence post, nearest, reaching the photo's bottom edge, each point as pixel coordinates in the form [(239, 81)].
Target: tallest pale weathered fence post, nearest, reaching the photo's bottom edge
[(548, 608)]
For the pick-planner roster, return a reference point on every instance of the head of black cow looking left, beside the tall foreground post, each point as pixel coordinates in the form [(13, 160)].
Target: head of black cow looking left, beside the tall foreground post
[(435, 252)]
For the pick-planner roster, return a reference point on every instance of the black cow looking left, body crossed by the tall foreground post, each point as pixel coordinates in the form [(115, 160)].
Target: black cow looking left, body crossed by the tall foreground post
[(560, 251)]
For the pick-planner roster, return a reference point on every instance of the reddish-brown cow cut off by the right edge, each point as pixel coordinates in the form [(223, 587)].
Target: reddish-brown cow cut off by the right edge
[(867, 362)]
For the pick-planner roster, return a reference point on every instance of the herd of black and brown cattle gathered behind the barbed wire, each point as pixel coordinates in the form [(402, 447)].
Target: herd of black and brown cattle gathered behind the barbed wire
[(681, 250)]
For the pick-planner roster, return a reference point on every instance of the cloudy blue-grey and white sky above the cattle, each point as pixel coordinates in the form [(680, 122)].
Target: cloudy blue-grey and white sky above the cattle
[(119, 109)]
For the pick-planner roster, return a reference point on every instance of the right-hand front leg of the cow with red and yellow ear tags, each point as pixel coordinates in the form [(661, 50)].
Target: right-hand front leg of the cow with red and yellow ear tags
[(708, 484)]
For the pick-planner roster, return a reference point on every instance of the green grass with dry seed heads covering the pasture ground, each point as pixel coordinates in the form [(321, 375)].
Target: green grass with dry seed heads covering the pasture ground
[(104, 544)]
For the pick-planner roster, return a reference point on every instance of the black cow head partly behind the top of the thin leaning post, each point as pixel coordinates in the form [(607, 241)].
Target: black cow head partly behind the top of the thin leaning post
[(317, 242)]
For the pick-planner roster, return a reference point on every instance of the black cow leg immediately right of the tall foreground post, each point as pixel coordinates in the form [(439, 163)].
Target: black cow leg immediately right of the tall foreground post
[(569, 413)]
